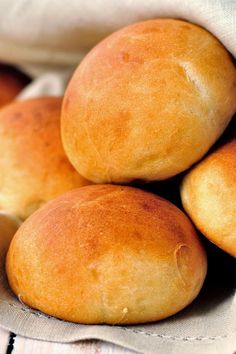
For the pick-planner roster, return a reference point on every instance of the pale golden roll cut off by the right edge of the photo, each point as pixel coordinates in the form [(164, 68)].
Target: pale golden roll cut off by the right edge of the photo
[(209, 196)]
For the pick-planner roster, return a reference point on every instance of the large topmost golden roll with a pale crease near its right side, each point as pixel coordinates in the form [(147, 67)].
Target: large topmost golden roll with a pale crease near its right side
[(148, 102)]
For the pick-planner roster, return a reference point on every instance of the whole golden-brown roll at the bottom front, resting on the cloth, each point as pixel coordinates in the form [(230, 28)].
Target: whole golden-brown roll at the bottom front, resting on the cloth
[(107, 254)]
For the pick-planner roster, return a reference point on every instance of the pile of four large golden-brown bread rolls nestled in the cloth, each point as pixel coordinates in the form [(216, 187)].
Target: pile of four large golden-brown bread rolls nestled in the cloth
[(144, 105)]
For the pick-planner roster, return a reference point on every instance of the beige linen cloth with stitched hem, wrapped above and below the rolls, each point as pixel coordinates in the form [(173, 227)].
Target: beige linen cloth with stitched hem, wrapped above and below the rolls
[(47, 39)]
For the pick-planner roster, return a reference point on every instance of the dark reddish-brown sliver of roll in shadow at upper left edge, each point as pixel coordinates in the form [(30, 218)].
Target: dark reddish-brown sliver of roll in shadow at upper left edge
[(11, 83)]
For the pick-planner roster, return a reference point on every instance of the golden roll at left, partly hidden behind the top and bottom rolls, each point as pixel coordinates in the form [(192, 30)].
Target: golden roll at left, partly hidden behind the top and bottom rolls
[(33, 165)]
